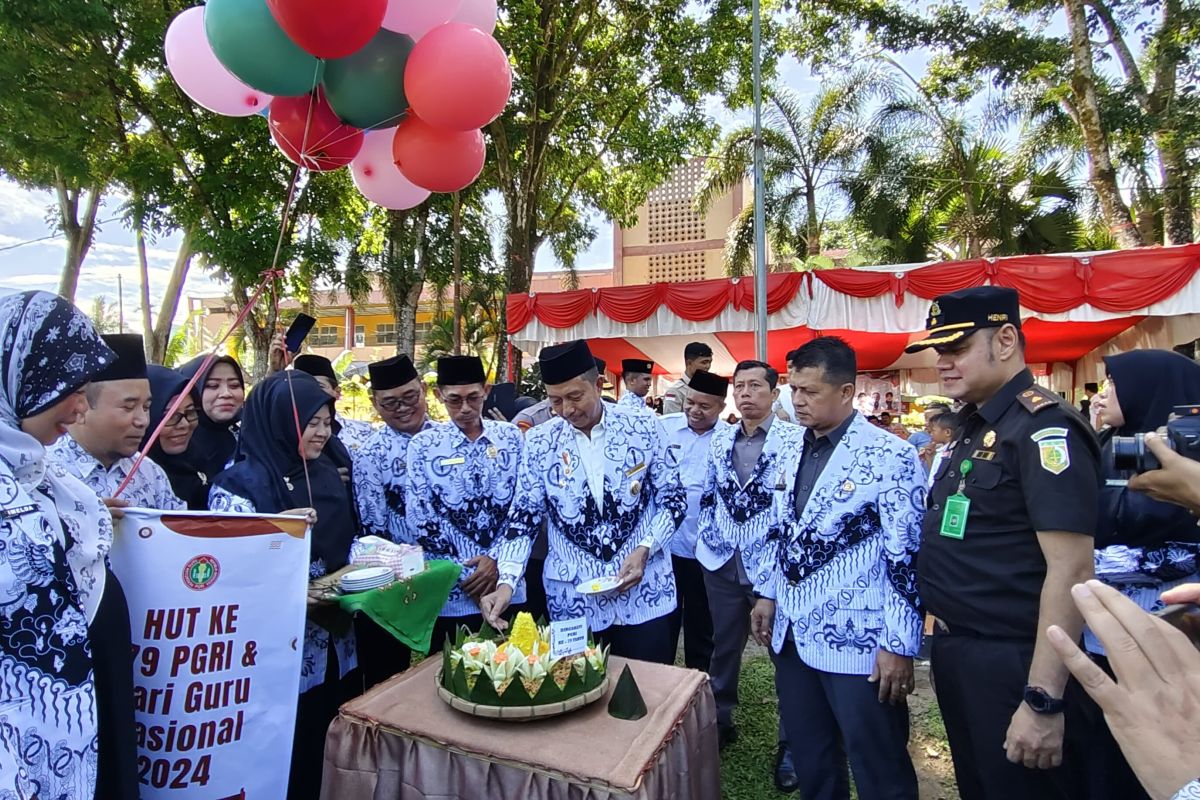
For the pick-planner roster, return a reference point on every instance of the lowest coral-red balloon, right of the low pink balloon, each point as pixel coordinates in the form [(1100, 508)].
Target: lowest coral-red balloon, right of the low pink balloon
[(441, 161)]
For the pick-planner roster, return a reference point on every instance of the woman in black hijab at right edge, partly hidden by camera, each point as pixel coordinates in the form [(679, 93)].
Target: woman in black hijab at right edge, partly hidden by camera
[(1144, 548)]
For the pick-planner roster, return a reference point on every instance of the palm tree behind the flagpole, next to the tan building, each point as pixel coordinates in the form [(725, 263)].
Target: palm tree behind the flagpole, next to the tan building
[(807, 147)]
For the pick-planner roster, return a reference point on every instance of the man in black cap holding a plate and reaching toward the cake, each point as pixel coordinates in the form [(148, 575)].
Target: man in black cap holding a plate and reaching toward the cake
[(599, 474)]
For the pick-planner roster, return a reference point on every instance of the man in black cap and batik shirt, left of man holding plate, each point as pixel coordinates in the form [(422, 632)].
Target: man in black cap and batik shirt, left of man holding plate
[(461, 479)]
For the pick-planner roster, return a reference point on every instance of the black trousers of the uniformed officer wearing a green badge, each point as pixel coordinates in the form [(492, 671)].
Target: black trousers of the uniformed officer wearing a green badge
[(980, 684)]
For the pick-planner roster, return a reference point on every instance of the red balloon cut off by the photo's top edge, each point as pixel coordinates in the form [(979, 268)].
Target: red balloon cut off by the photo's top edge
[(329, 31)]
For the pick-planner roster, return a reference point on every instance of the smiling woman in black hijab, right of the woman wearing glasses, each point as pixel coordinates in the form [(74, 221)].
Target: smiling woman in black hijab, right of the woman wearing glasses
[(220, 395)]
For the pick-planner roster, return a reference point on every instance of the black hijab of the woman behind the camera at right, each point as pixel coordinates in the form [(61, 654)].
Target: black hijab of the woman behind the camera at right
[(1150, 384)]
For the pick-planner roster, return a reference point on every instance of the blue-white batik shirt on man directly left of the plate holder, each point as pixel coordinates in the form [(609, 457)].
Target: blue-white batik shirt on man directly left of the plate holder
[(459, 495)]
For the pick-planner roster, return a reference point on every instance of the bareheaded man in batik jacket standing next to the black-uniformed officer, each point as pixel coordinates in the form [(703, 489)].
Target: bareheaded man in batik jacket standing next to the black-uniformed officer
[(838, 588)]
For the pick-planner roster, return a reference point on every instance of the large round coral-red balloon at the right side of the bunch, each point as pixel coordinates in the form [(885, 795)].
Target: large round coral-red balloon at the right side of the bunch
[(458, 79)]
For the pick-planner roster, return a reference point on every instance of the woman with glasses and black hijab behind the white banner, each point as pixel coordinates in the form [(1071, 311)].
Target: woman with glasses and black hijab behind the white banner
[(172, 449)]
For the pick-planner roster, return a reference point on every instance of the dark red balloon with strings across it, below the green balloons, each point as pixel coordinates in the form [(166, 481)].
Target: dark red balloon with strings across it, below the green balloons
[(325, 141)]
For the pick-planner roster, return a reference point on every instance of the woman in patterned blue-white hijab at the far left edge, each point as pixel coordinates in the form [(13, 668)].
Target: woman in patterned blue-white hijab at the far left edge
[(59, 737)]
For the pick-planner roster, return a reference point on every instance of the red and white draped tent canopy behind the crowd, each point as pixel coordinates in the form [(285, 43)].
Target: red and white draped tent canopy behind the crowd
[(1076, 308)]
